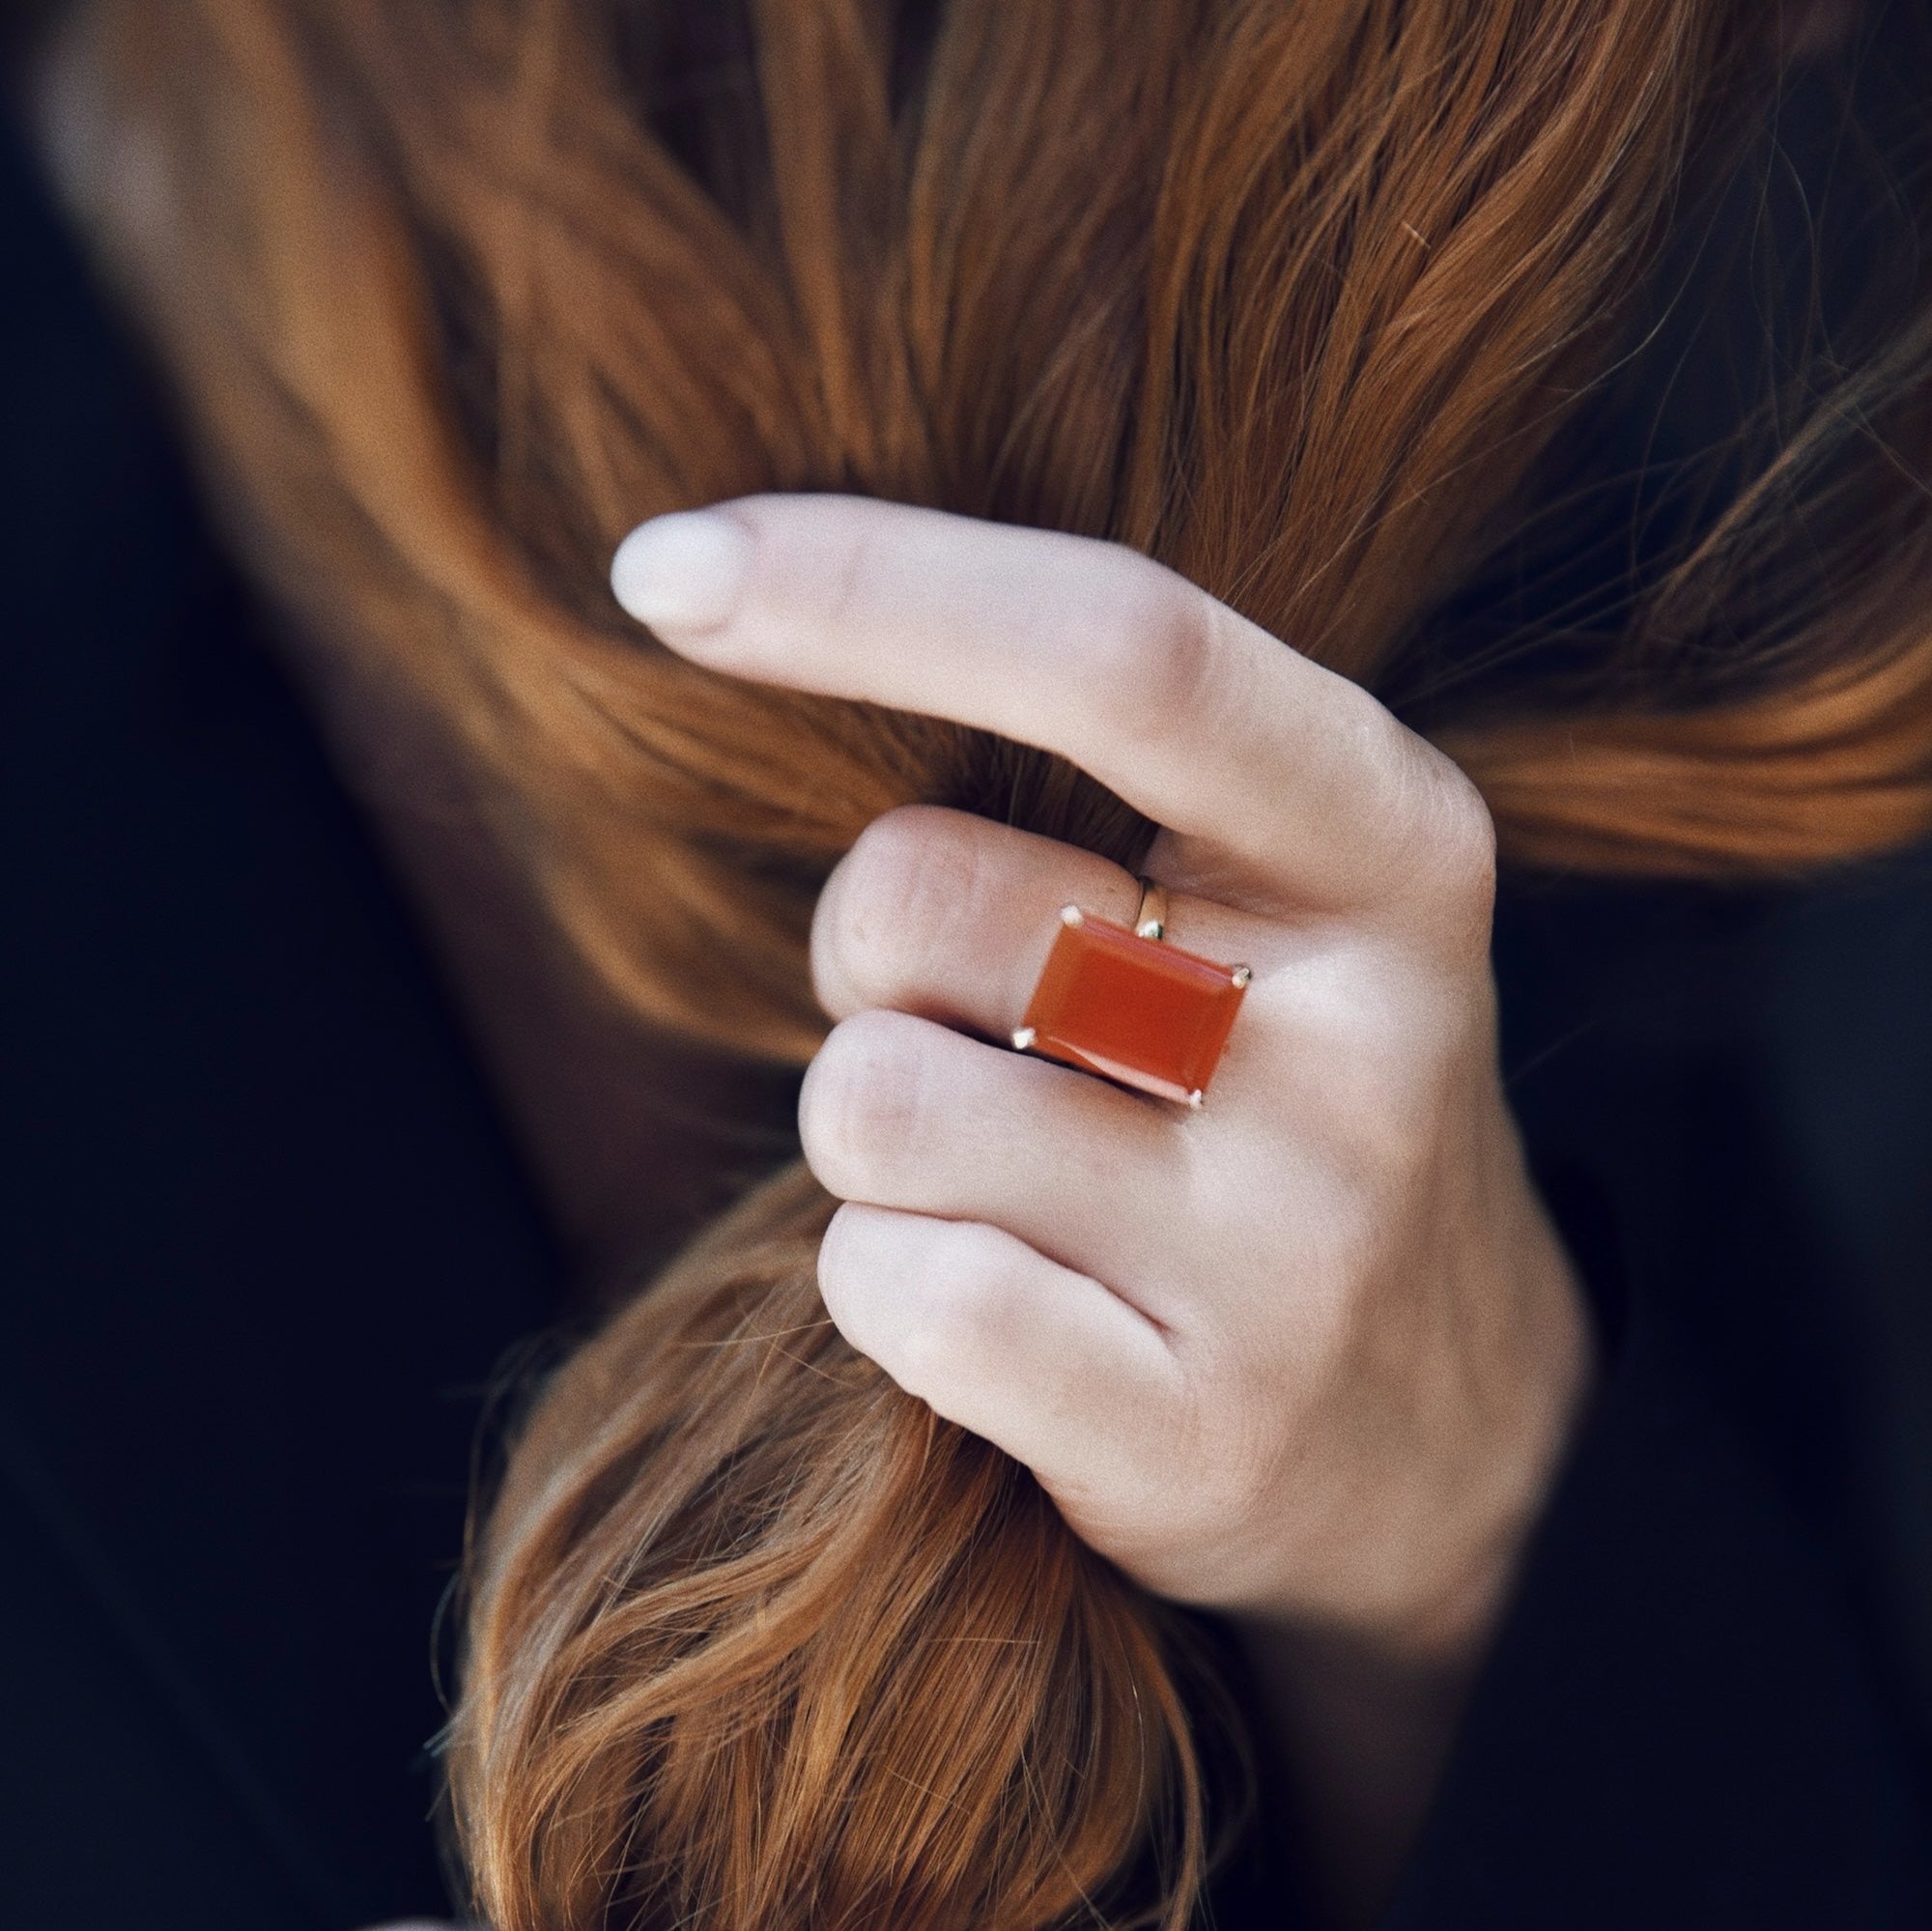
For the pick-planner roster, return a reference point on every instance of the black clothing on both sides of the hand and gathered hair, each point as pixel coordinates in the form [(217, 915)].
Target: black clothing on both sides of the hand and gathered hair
[(266, 1243)]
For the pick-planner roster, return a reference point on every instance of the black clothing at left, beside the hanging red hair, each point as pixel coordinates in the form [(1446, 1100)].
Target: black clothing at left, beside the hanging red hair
[(264, 1245)]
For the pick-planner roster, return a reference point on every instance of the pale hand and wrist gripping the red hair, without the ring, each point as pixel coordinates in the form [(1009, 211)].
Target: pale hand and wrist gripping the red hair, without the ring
[(1307, 1357)]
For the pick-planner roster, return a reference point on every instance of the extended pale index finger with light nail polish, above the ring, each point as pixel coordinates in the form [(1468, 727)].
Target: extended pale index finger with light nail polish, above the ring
[(1191, 714)]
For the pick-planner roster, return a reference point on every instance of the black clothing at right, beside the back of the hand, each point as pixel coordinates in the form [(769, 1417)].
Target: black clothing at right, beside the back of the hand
[(1711, 1700)]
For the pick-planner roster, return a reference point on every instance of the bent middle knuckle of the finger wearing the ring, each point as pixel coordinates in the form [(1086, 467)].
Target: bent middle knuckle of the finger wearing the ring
[(890, 903)]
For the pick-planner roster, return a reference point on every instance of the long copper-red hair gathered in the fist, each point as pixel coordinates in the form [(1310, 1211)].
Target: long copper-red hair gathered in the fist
[(1355, 312)]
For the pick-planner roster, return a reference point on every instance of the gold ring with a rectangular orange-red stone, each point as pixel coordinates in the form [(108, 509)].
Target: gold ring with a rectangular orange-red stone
[(1122, 1003)]
